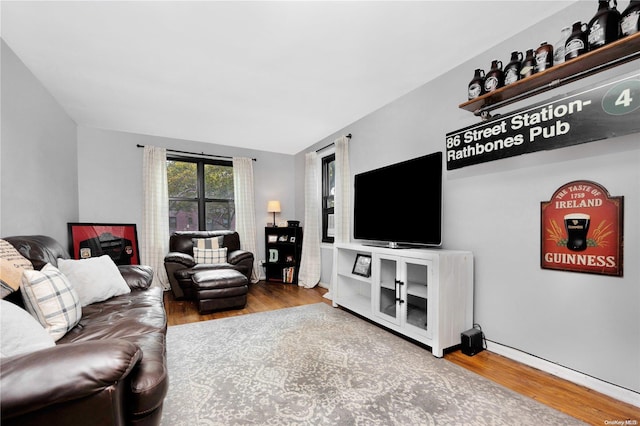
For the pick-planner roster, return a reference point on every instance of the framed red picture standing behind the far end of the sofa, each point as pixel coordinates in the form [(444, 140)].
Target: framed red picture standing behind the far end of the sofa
[(119, 241)]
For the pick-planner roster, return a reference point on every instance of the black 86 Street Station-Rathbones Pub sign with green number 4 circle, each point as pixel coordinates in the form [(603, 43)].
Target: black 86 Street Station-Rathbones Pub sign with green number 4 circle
[(607, 110)]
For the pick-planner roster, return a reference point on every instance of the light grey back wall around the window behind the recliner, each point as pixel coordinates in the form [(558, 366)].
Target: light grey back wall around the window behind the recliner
[(110, 177)]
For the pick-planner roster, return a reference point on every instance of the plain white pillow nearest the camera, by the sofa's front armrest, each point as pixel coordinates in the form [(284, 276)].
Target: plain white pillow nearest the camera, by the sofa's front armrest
[(21, 333)]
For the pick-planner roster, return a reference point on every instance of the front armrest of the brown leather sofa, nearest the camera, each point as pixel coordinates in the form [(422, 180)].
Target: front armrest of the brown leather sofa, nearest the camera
[(64, 373)]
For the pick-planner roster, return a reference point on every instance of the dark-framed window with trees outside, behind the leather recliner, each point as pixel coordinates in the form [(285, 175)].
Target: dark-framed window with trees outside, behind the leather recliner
[(200, 194)]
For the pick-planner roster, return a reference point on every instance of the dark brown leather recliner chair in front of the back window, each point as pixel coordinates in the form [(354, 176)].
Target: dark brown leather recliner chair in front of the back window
[(181, 266)]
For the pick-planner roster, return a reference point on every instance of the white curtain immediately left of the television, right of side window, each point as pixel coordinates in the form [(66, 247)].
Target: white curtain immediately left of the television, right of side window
[(342, 200)]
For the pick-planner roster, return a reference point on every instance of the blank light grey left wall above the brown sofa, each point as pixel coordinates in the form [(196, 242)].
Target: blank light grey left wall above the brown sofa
[(38, 188)]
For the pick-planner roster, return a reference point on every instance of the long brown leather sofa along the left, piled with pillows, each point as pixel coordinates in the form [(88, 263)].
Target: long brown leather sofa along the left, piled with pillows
[(110, 369)]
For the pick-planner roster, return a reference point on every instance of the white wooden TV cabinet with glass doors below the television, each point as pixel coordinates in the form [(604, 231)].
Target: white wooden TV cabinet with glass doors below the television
[(424, 294)]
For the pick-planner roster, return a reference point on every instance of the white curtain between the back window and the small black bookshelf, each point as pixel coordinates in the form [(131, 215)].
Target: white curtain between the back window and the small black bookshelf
[(245, 209)]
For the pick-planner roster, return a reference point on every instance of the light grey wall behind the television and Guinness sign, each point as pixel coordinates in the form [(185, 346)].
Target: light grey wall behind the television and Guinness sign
[(587, 323)]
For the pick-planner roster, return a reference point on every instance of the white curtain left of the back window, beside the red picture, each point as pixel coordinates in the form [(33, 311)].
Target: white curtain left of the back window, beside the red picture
[(155, 213)]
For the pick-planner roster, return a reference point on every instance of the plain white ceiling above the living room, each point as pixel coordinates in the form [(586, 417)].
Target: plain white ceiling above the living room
[(272, 76)]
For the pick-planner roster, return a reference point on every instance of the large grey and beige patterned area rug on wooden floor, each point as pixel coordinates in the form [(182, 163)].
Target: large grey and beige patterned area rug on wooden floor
[(317, 365)]
